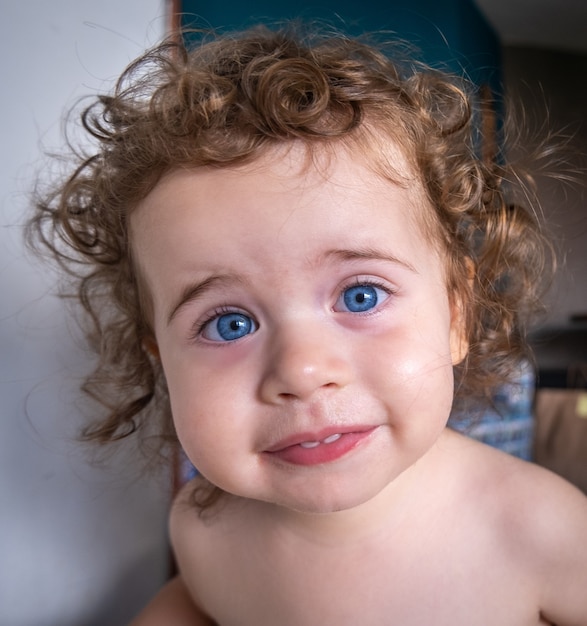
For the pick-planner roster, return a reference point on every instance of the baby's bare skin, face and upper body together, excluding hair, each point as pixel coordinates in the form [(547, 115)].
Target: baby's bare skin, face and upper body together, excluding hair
[(399, 520)]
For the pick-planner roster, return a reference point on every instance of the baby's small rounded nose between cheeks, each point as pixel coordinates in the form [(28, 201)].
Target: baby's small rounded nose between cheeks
[(303, 362)]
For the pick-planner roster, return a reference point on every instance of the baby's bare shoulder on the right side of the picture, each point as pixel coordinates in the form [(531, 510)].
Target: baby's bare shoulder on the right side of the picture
[(541, 521)]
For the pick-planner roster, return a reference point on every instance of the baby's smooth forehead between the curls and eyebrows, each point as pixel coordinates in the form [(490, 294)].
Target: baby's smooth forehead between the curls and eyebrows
[(293, 204)]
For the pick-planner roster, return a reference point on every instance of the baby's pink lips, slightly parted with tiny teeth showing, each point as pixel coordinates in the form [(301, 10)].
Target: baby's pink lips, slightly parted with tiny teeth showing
[(317, 448)]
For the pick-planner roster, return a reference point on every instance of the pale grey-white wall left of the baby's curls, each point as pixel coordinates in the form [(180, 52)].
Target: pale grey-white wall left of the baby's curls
[(78, 544)]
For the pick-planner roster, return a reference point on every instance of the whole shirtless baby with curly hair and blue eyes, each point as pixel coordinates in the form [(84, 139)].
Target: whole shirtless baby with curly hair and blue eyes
[(289, 246)]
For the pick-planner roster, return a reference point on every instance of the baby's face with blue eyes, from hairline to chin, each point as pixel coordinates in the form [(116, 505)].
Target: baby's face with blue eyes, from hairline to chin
[(303, 324)]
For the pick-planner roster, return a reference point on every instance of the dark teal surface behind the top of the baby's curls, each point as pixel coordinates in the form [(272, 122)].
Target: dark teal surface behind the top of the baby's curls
[(451, 34)]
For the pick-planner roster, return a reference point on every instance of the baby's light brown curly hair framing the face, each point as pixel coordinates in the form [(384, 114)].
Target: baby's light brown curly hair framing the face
[(227, 100)]
